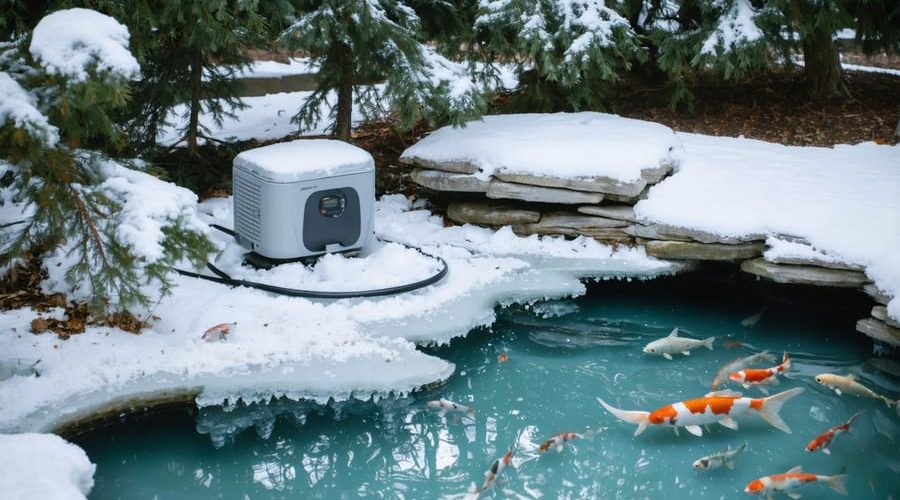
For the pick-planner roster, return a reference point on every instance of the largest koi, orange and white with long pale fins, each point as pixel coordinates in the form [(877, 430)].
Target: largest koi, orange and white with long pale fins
[(716, 407)]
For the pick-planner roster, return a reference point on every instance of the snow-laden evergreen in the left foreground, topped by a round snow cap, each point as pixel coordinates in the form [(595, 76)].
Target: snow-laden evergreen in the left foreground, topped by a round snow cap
[(63, 82)]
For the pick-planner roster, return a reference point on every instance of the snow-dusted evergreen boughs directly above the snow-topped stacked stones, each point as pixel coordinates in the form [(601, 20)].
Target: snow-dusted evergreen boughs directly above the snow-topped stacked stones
[(566, 51)]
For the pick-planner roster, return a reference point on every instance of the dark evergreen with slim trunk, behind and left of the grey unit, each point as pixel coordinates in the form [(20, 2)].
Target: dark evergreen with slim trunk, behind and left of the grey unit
[(190, 51)]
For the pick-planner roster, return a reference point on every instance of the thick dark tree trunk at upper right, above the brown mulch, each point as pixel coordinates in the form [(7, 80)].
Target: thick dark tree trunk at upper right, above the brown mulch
[(822, 66)]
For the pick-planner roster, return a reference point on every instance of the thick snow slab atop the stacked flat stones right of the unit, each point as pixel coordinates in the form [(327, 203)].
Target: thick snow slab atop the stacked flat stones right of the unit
[(584, 144)]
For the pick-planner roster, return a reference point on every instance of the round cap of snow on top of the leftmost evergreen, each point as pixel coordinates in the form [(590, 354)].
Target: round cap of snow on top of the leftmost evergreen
[(72, 41)]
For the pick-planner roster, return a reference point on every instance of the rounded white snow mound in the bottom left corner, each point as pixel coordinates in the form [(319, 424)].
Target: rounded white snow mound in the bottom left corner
[(43, 467)]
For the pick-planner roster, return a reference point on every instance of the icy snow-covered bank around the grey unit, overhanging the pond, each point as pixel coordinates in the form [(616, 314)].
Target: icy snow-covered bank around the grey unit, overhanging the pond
[(296, 347)]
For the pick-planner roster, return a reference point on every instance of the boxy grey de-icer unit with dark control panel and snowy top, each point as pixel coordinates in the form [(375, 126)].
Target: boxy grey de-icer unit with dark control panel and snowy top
[(304, 198)]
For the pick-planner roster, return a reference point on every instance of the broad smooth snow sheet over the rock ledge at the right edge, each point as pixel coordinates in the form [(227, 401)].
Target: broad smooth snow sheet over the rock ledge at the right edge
[(845, 201)]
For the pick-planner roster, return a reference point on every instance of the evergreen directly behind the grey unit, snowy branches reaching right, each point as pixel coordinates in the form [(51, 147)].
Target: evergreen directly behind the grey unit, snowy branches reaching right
[(357, 44)]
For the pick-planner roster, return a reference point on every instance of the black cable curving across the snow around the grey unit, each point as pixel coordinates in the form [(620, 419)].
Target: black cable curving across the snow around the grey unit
[(223, 278)]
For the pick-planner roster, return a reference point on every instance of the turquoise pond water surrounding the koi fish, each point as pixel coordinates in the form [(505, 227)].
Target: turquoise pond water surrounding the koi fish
[(562, 356)]
